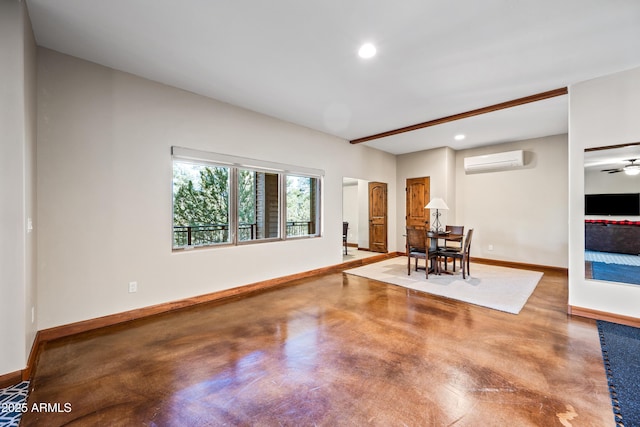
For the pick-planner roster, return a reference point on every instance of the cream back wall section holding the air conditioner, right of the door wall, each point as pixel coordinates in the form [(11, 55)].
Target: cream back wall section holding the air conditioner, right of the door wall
[(522, 213)]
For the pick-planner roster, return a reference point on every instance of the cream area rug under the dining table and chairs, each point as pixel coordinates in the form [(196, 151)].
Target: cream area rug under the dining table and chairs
[(499, 288)]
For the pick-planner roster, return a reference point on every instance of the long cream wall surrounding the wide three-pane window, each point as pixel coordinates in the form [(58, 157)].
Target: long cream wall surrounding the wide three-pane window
[(104, 197)]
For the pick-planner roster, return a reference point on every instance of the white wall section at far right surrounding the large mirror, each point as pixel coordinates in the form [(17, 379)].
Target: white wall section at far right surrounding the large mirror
[(602, 112)]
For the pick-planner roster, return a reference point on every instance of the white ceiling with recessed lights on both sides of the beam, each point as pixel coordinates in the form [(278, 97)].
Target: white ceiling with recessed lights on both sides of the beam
[(297, 60)]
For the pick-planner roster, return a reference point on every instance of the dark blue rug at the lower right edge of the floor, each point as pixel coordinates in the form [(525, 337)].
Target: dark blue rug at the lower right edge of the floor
[(621, 354)]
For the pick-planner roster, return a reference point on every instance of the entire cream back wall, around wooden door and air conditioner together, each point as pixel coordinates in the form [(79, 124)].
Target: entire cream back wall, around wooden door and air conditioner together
[(522, 213)]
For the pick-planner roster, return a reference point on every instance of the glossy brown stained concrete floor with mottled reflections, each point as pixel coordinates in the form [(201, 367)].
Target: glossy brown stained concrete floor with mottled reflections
[(332, 350)]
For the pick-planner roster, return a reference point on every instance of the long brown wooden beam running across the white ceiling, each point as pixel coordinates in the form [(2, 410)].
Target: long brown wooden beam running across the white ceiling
[(460, 116)]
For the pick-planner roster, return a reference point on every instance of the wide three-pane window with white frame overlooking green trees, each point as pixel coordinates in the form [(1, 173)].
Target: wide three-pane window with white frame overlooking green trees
[(223, 200)]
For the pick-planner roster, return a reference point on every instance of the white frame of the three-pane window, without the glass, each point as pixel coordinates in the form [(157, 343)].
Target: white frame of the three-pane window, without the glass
[(235, 164)]
